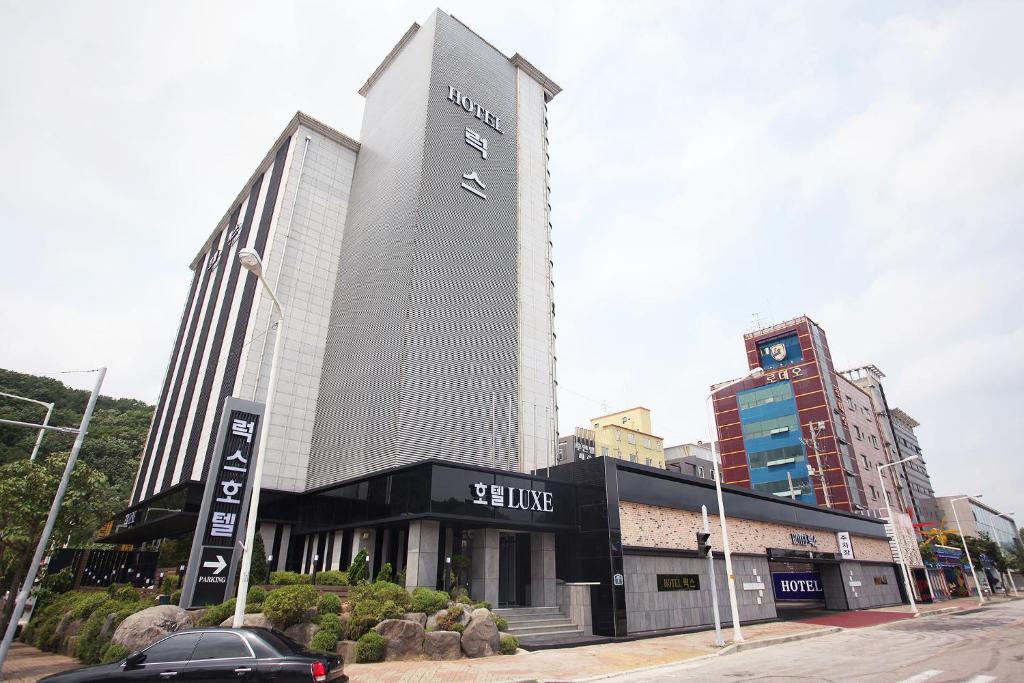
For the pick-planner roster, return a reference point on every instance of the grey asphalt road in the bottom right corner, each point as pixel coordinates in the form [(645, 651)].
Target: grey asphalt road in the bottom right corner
[(978, 647)]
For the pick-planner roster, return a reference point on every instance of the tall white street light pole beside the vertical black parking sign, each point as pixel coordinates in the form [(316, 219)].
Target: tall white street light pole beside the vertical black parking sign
[(250, 261)]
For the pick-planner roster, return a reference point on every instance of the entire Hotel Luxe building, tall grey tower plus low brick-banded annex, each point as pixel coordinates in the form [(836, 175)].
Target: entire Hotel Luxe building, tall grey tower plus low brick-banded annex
[(415, 416)]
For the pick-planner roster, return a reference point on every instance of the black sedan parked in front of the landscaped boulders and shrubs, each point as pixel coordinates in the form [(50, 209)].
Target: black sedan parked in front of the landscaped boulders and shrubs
[(218, 655)]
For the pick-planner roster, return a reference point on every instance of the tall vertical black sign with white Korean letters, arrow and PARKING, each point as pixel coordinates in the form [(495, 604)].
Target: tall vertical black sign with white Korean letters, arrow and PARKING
[(210, 575)]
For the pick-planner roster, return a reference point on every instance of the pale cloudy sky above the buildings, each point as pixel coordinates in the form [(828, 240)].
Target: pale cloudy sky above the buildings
[(714, 167)]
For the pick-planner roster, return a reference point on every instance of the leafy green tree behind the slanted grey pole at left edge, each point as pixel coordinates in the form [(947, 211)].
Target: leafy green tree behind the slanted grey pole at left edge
[(27, 492)]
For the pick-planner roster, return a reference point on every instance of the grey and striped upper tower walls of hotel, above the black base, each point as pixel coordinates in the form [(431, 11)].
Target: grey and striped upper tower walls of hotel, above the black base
[(420, 317)]
